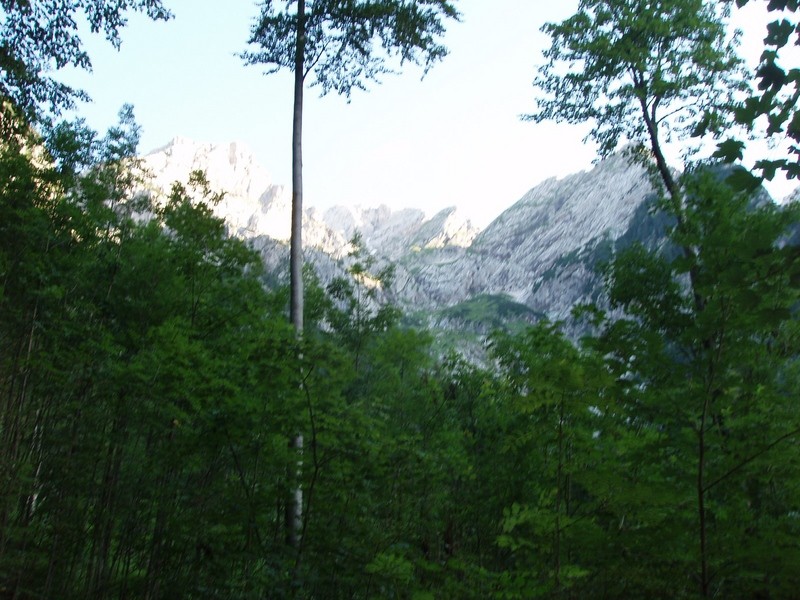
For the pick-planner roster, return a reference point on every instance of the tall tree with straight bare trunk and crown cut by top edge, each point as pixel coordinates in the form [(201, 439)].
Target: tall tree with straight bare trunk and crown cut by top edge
[(336, 42)]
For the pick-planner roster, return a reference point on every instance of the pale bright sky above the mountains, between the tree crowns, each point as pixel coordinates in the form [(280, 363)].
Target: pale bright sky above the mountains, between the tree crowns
[(452, 138)]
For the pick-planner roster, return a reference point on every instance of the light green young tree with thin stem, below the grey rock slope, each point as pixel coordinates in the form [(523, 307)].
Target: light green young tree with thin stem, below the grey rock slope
[(557, 395)]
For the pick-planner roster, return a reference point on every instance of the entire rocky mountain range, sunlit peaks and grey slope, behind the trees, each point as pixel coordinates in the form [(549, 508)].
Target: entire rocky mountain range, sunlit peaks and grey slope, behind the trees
[(537, 258)]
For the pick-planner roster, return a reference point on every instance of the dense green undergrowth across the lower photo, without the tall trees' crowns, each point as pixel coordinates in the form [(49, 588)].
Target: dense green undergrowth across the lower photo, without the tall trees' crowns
[(150, 382)]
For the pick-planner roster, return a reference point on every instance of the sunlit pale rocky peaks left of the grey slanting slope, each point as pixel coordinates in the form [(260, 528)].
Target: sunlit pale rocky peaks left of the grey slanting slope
[(255, 207)]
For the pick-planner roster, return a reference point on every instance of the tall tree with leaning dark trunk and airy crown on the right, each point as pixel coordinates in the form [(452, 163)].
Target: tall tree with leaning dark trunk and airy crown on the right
[(643, 72)]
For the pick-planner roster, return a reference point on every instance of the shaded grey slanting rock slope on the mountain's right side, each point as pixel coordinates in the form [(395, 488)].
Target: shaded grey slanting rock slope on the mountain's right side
[(540, 252)]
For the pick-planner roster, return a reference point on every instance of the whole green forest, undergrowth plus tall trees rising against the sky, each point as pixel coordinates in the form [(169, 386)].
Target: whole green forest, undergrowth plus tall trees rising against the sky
[(174, 423)]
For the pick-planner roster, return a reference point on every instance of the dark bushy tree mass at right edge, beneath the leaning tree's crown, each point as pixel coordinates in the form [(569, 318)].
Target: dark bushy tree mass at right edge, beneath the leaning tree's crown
[(706, 387)]
